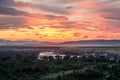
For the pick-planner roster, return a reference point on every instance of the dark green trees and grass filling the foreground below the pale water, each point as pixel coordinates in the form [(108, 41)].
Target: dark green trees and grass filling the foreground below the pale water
[(16, 65)]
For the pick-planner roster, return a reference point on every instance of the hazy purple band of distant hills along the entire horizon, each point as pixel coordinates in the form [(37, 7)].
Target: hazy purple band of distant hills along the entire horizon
[(69, 43)]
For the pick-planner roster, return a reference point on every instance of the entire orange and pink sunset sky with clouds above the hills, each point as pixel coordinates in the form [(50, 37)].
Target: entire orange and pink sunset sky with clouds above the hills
[(59, 20)]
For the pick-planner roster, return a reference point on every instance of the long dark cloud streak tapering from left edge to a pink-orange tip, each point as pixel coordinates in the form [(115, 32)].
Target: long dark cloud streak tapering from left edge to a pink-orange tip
[(11, 11)]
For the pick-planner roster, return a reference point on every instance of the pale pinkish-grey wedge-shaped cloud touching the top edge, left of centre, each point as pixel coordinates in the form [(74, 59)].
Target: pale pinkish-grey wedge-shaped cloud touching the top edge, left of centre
[(53, 6)]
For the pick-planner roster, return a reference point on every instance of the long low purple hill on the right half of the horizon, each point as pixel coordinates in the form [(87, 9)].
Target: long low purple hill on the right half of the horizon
[(93, 43)]
